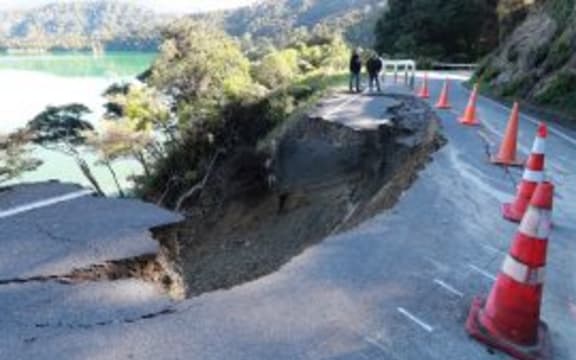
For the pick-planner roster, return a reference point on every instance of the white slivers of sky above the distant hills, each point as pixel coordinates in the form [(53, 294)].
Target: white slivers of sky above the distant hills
[(167, 6)]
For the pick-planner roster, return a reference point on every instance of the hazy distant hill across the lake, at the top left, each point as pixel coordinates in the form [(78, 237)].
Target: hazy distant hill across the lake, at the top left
[(77, 25)]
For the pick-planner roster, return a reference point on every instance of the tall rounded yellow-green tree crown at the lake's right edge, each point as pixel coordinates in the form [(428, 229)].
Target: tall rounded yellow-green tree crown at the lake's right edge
[(201, 67)]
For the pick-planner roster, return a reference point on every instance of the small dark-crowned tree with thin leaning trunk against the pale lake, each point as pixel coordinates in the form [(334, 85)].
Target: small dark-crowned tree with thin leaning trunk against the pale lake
[(63, 129)]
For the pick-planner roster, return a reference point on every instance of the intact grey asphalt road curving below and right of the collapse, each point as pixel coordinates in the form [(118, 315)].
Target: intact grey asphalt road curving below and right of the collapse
[(397, 287)]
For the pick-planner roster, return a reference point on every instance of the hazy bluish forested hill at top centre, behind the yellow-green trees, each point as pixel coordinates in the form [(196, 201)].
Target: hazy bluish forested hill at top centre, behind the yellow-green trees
[(279, 20)]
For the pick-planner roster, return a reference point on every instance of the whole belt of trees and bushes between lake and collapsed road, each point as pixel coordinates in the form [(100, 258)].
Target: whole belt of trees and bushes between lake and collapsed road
[(203, 100)]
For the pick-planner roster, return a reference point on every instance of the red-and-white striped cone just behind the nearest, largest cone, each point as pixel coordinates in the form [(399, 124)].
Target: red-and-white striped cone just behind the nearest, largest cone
[(533, 174)]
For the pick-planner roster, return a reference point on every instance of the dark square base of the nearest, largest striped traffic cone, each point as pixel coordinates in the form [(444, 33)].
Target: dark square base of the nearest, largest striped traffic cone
[(541, 351)]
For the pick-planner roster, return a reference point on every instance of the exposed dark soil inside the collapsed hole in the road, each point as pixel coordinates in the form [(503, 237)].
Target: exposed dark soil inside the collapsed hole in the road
[(262, 209)]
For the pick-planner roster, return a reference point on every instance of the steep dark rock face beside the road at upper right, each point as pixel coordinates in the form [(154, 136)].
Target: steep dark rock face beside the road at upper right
[(537, 60)]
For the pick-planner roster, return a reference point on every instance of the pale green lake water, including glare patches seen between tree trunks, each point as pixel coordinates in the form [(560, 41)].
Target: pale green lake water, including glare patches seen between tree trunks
[(30, 83)]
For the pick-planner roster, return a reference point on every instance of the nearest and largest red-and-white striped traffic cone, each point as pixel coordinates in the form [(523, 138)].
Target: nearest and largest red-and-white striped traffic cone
[(509, 319)]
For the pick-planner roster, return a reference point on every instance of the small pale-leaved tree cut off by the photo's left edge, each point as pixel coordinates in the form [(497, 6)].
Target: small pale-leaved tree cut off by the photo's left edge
[(15, 158)]
